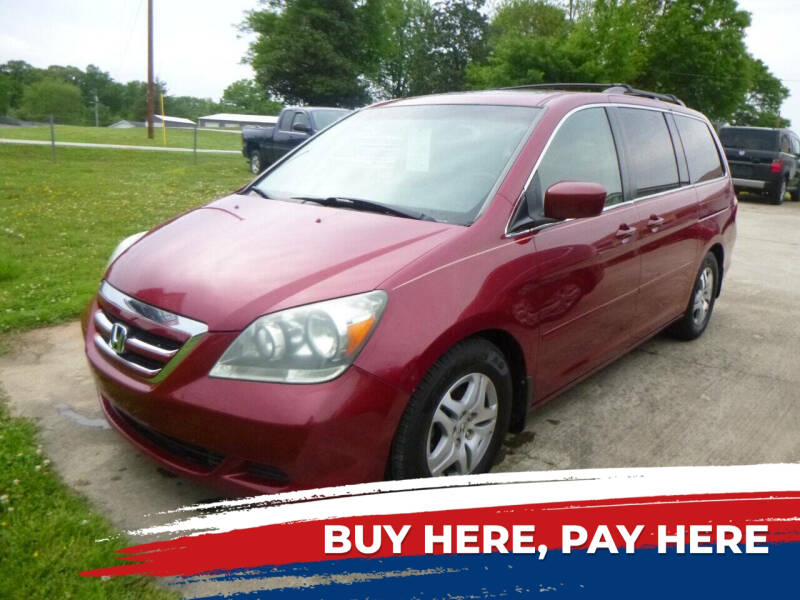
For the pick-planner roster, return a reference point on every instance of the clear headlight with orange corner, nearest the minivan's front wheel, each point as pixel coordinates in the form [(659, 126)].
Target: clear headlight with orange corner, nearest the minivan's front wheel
[(308, 344)]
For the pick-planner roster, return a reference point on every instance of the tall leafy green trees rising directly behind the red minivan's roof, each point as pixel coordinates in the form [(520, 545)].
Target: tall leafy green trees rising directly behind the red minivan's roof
[(351, 52)]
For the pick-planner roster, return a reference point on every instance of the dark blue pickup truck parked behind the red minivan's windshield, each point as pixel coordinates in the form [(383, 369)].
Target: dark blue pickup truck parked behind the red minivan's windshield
[(264, 145)]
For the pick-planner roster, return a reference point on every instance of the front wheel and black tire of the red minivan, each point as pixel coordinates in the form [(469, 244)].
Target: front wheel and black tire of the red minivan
[(457, 417)]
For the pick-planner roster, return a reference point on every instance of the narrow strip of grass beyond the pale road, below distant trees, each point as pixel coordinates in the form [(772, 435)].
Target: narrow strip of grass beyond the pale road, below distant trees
[(176, 138)]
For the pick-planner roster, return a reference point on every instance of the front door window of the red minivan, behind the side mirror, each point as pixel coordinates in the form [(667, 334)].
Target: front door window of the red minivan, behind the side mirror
[(582, 150)]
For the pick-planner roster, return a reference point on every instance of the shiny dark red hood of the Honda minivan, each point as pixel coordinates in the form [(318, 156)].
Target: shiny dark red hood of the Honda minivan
[(243, 256)]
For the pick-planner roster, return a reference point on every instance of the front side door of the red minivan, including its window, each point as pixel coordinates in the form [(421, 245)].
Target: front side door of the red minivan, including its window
[(588, 269)]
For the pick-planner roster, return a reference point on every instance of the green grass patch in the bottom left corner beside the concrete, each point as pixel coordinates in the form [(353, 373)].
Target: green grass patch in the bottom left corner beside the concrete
[(48, 533)]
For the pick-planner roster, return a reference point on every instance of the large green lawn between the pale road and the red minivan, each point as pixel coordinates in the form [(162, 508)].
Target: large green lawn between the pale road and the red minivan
[(60, 221)]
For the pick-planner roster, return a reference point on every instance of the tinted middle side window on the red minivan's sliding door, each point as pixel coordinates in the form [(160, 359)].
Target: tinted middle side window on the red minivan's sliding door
[(652, 156)]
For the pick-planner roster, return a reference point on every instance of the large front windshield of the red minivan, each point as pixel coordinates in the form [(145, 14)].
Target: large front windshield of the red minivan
[(438, 160)]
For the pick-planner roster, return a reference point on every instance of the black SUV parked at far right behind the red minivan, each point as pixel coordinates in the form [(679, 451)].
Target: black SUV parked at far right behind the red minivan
[(763, 160)]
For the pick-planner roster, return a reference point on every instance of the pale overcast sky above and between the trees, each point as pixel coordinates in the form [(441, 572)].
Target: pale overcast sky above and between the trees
[(198, 49)]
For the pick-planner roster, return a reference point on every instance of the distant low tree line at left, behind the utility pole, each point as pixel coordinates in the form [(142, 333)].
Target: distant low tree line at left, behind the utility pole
[(71, 96)]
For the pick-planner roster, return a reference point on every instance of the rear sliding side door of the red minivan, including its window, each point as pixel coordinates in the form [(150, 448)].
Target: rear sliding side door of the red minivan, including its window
[(667, 207)]
